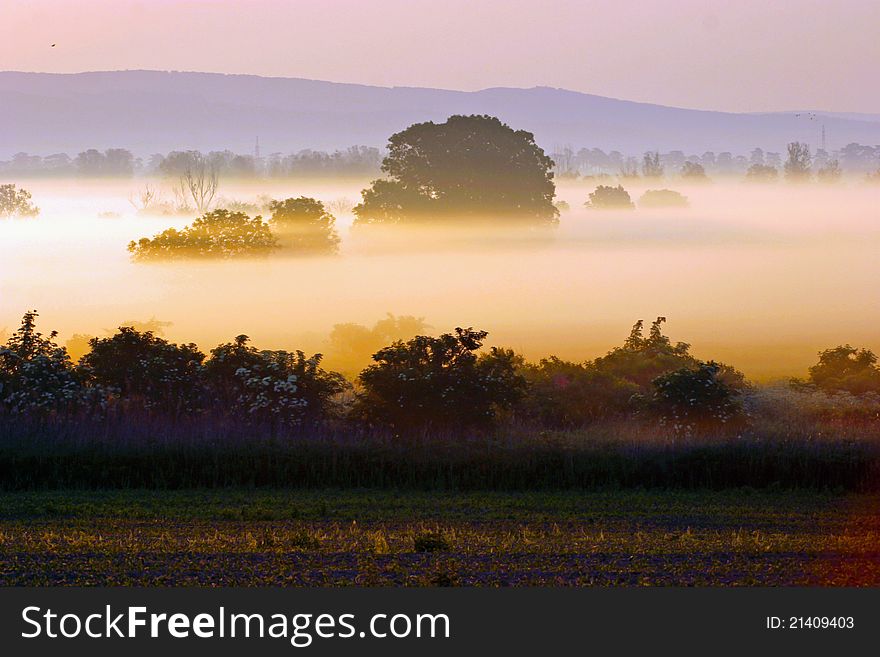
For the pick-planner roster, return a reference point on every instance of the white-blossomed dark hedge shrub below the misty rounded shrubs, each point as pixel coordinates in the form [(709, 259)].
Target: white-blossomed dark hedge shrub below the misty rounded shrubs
[(276, 387)]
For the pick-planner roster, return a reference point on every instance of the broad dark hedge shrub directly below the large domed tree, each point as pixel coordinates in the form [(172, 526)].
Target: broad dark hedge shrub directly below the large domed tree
[(439, 383)]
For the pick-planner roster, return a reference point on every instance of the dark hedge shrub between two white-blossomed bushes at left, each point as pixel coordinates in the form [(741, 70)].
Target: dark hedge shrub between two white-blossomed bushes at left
[(145, 370)]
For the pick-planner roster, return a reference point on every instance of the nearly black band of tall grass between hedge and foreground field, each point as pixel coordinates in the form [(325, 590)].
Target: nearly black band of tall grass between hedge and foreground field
[(447, 465)]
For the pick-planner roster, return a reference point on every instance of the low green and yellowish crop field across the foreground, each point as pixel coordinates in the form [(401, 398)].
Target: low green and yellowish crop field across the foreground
[(243, 537)]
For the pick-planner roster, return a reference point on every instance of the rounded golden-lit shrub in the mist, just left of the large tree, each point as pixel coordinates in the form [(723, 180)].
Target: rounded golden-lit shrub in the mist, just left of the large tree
[(305, 225)]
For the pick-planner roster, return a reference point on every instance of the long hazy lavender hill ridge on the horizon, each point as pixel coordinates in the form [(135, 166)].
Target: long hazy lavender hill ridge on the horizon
[(153, 111)]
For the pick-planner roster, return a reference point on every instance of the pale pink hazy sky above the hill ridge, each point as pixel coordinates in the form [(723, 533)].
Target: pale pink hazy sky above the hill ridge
[(740, 55)]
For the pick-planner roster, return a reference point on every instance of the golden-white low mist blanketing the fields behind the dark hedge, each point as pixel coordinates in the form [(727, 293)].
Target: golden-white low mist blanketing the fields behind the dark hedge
[(761, 277)]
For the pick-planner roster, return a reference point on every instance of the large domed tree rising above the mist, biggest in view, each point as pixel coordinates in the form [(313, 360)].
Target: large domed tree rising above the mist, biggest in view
[(468, 167)]
